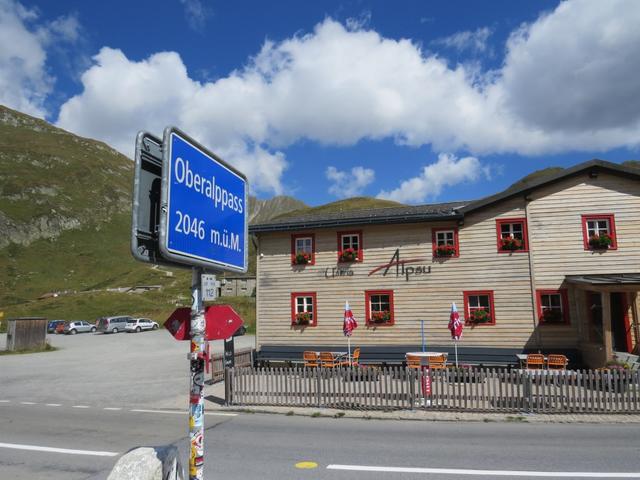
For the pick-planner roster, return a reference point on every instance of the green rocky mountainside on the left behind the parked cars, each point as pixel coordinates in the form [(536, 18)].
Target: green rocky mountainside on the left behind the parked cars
[(65, 209)]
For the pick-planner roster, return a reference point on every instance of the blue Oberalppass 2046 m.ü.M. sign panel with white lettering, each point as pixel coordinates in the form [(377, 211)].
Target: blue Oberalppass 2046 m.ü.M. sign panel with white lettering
[(204, 220)]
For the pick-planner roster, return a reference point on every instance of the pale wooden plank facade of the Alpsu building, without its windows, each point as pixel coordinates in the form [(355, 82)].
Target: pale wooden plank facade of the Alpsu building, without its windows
[(552, 215)]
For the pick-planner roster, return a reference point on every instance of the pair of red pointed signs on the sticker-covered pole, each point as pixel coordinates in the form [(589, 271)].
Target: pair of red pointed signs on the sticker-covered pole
[(221, 321)]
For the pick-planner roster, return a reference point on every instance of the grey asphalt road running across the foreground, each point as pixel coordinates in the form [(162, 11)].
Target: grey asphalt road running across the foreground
[(253, 446)]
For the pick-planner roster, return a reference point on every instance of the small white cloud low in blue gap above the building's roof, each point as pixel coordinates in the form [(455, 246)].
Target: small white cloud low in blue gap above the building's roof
[(448, 171)]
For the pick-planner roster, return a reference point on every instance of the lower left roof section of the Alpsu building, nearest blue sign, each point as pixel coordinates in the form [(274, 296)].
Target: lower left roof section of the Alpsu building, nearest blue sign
[(386, 215)]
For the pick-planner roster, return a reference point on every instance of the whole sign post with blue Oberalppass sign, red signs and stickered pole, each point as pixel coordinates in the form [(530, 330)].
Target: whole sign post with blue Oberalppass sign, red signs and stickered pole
[(190, 209)]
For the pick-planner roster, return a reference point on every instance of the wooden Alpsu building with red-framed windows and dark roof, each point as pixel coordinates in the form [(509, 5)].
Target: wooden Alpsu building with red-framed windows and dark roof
[(553, 266)]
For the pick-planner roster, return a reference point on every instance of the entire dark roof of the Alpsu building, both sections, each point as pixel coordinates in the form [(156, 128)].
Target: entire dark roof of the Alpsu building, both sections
[(431, 212)]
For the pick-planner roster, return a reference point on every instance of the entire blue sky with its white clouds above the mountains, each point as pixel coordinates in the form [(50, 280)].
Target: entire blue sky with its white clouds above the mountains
[(413, 101)]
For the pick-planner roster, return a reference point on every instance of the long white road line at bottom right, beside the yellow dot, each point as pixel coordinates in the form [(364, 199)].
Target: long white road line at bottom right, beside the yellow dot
[(491, 473)]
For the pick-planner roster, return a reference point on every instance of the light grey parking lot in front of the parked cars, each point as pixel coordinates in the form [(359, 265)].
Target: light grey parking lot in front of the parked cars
[(117, 370)]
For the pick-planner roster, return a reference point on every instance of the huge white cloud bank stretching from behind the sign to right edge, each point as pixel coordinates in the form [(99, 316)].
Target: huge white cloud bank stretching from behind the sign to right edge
[(568, 83)]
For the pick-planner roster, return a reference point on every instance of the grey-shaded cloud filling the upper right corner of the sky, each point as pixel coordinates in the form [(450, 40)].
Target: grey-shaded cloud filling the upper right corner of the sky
[(576, 70)]
